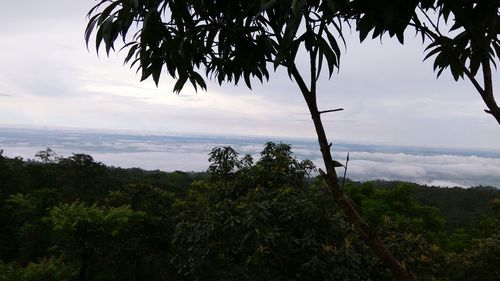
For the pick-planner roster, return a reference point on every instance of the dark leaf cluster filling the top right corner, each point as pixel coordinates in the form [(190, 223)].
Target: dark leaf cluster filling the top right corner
[(475, 43)]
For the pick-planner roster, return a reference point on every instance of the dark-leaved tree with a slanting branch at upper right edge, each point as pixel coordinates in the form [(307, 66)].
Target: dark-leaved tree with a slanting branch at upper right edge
[(462, 35)]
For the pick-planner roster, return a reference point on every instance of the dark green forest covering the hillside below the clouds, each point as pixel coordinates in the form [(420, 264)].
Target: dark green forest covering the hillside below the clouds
[(272, 218)]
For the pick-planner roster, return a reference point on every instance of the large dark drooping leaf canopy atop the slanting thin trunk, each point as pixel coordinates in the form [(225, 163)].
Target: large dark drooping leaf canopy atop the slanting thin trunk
[(229, 40)]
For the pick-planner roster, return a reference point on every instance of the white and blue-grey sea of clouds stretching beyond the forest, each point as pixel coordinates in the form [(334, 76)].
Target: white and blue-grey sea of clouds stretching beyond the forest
[(431, 166)]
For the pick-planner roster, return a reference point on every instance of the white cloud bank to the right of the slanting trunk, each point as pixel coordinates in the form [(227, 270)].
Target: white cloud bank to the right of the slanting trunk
[(426, 169)]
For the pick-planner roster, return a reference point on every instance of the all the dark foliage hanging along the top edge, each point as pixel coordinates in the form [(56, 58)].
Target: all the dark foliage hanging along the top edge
[(237, 39)]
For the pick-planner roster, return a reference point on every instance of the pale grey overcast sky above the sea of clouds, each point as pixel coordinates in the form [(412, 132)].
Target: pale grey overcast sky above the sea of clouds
[(49, 79)]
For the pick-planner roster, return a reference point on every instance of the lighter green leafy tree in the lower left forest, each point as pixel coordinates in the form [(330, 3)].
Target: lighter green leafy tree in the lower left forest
[(94, 239)]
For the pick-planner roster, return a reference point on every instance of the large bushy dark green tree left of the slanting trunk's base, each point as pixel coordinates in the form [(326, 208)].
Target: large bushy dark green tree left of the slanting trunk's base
[(272, 228)]
